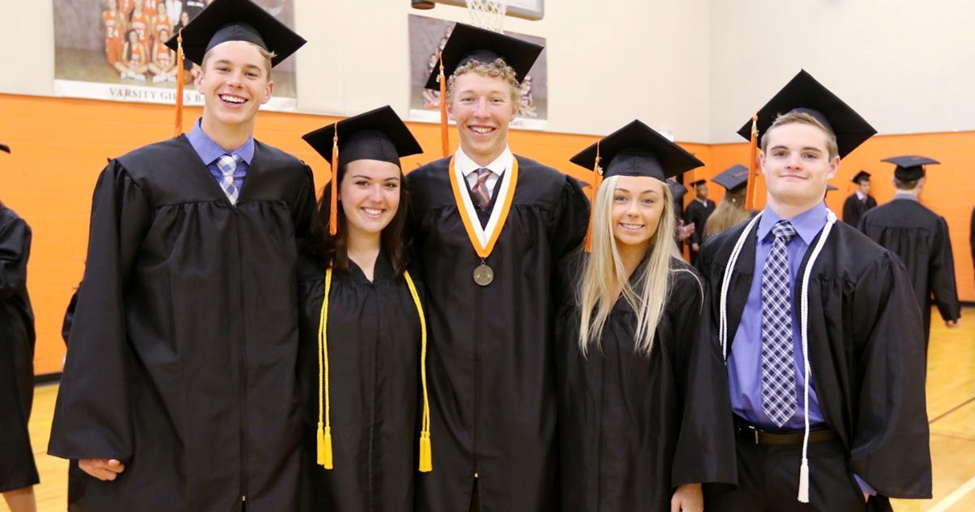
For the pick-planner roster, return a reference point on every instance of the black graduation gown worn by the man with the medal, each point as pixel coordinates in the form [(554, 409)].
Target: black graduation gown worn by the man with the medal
[(492, 387)]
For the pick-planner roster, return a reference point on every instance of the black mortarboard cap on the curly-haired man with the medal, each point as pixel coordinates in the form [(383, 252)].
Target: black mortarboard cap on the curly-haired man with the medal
[(468, 43)]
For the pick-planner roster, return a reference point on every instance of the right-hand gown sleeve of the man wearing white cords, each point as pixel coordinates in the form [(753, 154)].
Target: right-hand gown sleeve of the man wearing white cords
[(889, 448)]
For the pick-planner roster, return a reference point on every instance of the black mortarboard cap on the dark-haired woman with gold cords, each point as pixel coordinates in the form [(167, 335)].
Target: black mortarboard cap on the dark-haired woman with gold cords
[(375, 135)]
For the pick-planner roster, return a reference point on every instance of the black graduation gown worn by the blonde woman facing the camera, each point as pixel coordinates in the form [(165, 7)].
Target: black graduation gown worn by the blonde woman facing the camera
[(631, 428)]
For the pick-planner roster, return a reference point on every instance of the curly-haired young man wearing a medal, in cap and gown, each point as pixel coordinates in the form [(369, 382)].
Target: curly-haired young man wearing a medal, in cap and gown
[(489, 227)]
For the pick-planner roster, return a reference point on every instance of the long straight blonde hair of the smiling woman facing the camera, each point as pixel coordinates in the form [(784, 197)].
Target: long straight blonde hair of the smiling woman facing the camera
[(604, 268)]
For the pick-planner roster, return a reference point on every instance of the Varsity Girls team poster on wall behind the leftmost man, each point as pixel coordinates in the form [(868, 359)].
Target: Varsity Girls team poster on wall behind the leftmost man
[(113, 50)]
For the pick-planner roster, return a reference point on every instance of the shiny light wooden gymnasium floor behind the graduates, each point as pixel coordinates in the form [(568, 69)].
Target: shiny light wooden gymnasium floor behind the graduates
[(951, 410)]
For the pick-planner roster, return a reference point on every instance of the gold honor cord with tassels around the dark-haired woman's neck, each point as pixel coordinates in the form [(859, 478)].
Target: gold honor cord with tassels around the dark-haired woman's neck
[(324, 434)]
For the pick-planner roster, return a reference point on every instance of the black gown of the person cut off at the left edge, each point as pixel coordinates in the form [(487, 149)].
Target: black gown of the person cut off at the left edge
[(17, 338)]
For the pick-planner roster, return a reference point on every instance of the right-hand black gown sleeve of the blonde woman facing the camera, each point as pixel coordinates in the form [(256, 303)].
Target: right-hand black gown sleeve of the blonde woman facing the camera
[(705, 449)]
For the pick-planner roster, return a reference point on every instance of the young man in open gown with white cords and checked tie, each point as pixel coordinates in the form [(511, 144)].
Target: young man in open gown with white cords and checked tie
[(824, 345)]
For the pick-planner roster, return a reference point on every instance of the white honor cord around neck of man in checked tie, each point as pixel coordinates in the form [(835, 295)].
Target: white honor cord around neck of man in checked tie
[(804, 328)]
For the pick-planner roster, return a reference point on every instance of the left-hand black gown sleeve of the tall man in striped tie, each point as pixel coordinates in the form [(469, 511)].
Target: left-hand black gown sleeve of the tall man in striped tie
[(92, 416)]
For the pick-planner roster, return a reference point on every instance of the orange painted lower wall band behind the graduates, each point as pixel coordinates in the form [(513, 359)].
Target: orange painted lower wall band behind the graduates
[(60, 146)]
